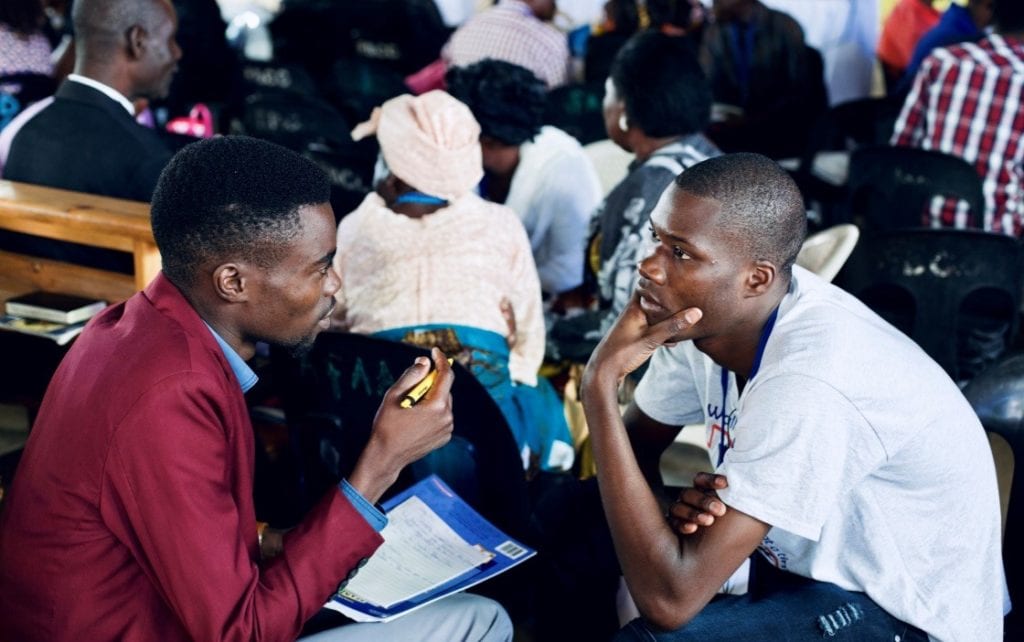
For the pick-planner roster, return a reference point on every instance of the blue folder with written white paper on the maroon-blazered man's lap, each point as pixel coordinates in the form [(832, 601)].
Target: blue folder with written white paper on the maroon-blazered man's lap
[(435, 545)]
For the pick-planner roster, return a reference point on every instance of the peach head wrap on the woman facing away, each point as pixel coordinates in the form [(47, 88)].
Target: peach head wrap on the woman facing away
[(432, 143)]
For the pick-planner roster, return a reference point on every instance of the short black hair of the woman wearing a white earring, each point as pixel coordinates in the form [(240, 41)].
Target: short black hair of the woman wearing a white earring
[(660, 79)]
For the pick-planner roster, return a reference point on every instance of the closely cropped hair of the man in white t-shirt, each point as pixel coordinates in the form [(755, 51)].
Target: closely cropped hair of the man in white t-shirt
[(760, 203)]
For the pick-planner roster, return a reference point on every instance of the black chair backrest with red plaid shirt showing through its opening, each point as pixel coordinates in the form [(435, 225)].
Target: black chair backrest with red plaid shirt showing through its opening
[(892, 188)]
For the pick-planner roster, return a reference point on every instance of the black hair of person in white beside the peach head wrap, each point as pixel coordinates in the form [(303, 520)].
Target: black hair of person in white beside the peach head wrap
[(506, 100)]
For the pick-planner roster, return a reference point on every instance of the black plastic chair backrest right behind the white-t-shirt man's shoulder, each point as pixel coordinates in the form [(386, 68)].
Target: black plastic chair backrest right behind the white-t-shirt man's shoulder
[(945, 288)]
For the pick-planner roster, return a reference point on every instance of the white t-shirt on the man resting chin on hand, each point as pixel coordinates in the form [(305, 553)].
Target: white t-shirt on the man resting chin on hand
[(864, 456)]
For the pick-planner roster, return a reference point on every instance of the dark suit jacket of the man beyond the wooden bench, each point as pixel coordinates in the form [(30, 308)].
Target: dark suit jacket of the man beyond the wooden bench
[(84, 142)]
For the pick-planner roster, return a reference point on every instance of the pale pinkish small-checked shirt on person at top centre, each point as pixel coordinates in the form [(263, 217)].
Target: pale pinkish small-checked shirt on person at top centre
[(510, 32)]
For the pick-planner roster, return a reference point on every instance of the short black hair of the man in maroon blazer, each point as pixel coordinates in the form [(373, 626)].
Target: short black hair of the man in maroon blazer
[(231, 198)]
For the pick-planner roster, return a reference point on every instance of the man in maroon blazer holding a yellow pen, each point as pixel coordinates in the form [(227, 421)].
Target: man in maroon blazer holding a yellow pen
[(132, 517)]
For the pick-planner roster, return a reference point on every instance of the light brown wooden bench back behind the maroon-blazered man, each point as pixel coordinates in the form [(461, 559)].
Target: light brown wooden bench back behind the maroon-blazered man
[(83, 219)]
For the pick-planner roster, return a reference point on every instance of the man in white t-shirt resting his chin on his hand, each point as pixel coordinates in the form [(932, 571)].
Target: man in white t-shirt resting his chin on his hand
[(841, 447)]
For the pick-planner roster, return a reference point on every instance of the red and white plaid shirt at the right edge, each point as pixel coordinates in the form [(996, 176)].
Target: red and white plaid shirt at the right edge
[(966, 102)]
